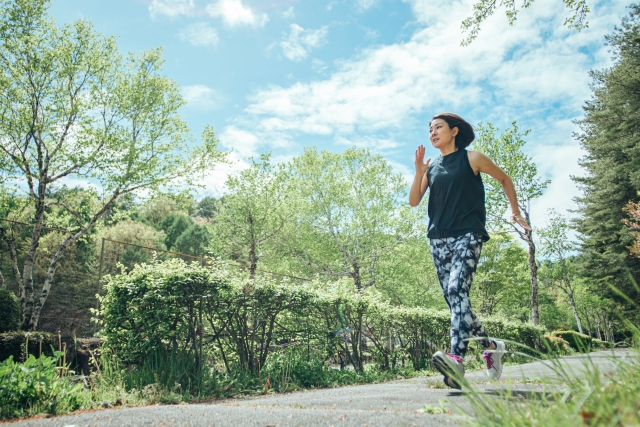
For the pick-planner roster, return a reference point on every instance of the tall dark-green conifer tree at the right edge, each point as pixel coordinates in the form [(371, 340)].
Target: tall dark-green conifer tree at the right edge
[(609, 136)]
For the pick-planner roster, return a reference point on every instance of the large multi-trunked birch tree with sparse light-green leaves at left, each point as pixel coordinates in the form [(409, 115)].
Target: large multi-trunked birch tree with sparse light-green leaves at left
[(71, 108)]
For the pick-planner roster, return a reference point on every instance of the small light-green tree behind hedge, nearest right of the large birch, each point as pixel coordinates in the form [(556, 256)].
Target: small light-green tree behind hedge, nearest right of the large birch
[(253, 212)]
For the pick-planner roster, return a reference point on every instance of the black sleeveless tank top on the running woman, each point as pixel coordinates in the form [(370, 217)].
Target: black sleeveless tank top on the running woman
[(456, 199)]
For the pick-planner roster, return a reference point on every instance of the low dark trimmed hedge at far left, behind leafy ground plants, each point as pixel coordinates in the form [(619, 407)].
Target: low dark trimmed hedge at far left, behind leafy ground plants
[(15, 344)]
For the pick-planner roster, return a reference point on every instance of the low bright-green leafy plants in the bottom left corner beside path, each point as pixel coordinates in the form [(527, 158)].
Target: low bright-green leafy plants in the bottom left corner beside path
[(34, 386)]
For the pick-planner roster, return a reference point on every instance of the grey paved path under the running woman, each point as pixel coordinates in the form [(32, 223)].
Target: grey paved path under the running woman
[(395, 403)]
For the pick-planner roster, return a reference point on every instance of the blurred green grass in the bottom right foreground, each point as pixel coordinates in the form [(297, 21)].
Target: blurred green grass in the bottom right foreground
[(589, 398)]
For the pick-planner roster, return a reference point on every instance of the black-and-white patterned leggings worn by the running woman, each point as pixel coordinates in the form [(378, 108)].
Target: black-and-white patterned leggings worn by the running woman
[(456, 259)]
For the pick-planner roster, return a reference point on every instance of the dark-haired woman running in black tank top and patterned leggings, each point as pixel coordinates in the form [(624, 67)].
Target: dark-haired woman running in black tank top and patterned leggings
[(457, 219)]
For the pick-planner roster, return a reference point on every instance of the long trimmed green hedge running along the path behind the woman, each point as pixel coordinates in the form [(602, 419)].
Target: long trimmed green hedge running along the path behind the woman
[(174, 308)]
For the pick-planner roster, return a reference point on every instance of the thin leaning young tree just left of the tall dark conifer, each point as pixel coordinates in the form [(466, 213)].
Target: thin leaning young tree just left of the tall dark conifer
[(557, 247)]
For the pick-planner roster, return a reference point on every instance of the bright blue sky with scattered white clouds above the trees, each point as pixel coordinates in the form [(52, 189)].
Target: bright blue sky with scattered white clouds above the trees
[(280, 75)]
